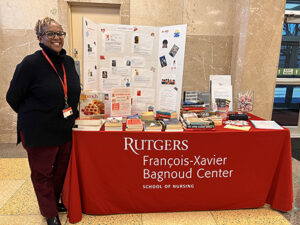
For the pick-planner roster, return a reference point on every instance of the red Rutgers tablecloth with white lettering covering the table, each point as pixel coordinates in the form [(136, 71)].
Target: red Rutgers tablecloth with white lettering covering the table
[(137, 172)]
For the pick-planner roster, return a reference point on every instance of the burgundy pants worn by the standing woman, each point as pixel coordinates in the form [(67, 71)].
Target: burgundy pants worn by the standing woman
[(48, 169)]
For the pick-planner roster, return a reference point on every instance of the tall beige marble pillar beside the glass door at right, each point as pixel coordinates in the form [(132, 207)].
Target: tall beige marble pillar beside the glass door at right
[(257, 38)]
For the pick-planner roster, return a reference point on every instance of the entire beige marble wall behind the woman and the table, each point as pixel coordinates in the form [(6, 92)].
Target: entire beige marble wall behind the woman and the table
[(238, 37)]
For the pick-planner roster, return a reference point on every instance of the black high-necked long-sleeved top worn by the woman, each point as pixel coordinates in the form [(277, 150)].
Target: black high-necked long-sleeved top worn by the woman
[(36, 94)]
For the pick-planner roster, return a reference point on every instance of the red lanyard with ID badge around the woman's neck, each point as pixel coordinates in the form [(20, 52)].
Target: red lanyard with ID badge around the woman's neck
[(67, 111)]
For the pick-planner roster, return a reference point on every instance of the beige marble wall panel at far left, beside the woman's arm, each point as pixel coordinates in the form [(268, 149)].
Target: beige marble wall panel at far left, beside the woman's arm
[(15, 45)]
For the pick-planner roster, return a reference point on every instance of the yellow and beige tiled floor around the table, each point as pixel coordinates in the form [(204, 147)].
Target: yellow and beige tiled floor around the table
[(18, 204)]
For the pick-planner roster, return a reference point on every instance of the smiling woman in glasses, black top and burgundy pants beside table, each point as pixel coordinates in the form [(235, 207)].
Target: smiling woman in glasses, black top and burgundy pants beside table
[(45, 92)]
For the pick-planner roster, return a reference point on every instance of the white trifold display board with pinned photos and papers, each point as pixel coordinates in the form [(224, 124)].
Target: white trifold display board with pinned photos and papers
[(148, 60)]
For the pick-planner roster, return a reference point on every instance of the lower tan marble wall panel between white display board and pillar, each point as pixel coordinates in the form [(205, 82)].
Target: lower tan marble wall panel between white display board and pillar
[(205, 56)]
